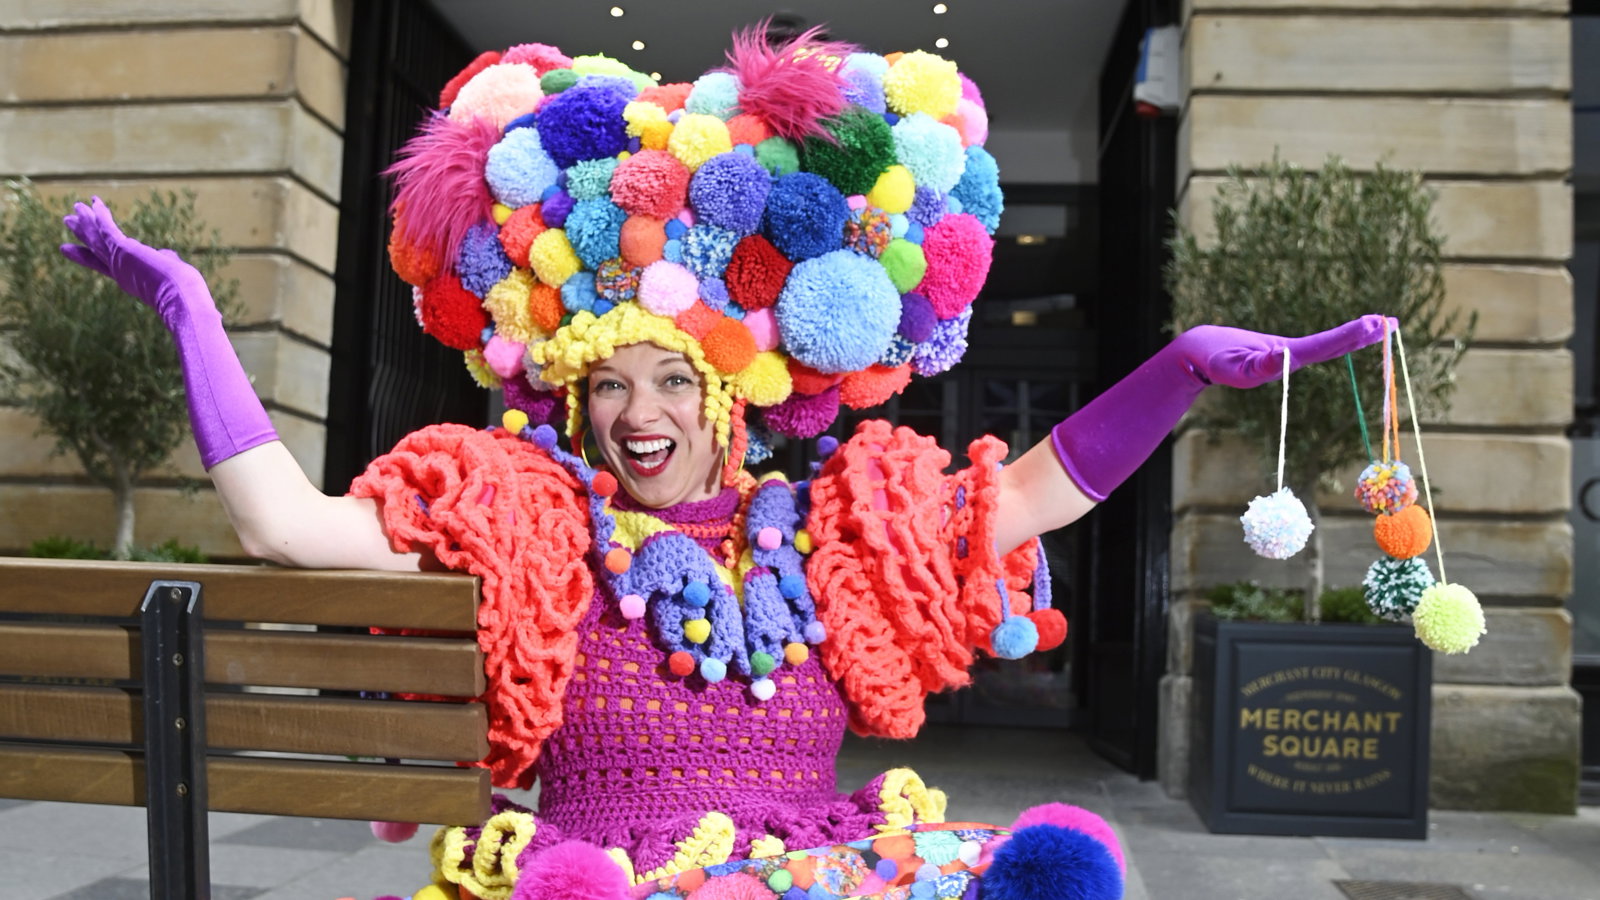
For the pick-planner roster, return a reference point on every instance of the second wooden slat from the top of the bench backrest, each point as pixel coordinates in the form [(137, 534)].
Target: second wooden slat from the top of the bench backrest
[(450, 667)]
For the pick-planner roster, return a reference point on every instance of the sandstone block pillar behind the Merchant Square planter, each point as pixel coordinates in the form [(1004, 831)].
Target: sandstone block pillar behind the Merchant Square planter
[(1474, 94)]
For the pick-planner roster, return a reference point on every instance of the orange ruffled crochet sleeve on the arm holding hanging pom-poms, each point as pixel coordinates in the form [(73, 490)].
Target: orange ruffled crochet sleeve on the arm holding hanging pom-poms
[(905, 573)]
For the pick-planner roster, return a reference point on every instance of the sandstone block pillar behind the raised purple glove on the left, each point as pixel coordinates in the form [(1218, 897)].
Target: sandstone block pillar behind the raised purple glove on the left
[(241, 103)]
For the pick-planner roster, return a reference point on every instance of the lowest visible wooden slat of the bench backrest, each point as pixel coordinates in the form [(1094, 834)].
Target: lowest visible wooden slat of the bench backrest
[(266, 787)]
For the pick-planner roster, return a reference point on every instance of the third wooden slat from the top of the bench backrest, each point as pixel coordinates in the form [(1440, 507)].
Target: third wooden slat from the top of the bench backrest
[(257, 721)]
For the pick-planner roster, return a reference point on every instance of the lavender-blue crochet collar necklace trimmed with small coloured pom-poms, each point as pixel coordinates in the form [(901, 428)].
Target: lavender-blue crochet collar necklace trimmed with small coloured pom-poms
[(714, 621)]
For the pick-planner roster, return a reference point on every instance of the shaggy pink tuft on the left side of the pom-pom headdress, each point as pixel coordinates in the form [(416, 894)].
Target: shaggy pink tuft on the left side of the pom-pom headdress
[(439, 183)]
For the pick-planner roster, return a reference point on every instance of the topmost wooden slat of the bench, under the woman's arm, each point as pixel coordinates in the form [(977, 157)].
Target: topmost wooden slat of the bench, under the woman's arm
[(246, 593)]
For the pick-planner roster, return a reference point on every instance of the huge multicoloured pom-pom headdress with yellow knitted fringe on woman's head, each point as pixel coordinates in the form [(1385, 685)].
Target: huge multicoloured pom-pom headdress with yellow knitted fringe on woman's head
[(809, 225)]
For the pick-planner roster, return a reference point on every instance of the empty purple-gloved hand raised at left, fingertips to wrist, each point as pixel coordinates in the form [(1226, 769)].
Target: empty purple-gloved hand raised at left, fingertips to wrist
[(159, 278)]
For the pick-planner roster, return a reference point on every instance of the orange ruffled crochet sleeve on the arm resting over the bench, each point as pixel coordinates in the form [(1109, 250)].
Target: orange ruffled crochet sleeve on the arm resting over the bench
[(500, 508)]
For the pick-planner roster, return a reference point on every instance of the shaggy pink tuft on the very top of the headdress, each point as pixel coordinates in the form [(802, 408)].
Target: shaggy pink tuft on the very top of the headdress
[(793, 87)]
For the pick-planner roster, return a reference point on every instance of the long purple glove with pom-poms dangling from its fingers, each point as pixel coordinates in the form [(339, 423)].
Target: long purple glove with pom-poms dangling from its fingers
[(1108, 440)]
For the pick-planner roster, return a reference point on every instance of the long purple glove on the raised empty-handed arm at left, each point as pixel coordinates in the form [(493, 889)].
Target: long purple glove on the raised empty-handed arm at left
[(223, 409)]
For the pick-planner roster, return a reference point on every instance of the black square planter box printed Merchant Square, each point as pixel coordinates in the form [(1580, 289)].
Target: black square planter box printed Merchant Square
[(1311, 729)]
